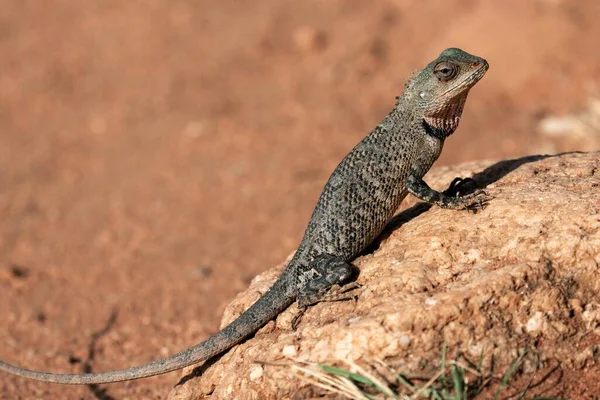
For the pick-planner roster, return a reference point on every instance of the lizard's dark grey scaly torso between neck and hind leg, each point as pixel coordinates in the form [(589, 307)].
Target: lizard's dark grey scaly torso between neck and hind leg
[(363, 192)]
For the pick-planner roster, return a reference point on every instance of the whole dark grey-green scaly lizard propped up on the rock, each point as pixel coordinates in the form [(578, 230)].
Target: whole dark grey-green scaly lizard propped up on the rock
[(360, 197)]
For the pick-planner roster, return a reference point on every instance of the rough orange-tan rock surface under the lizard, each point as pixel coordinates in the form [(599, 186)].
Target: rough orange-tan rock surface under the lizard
[(523, 272)]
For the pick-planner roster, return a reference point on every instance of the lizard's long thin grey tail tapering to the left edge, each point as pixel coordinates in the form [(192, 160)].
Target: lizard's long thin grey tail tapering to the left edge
[(273, 302)]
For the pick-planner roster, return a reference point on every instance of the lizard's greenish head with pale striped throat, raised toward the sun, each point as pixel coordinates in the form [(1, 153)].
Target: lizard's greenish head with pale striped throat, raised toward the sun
[(441, 88)]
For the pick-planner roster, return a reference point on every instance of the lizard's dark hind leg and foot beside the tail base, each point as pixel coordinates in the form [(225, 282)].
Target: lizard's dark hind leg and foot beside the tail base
[(327, 276)]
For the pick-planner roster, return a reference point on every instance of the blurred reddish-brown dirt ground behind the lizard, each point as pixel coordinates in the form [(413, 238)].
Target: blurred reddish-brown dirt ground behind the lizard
[(155, 156)]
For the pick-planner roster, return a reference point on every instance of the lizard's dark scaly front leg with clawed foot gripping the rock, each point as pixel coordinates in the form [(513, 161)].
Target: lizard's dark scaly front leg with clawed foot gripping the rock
[(452, 198)]
